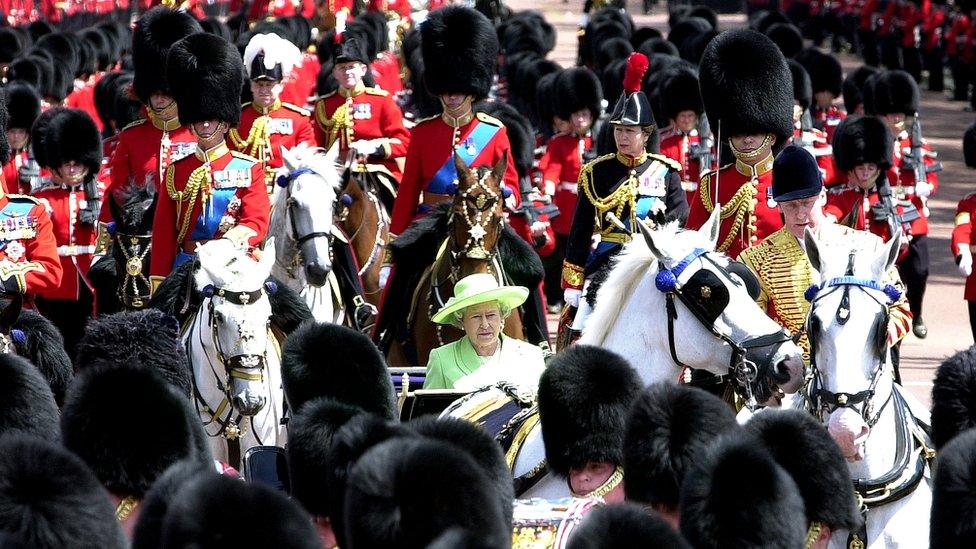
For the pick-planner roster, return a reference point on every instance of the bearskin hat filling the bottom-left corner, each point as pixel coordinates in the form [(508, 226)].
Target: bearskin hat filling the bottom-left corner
[(49, 499)]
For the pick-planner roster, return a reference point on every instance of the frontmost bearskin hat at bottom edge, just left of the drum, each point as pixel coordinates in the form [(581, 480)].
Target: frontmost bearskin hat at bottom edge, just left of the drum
[(407, 492)]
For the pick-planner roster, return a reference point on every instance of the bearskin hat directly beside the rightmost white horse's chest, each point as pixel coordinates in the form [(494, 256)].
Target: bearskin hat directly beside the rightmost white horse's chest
[(801, 445)]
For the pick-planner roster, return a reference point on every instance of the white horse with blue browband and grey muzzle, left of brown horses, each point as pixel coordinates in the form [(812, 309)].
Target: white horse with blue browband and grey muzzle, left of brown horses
[(302, 220)]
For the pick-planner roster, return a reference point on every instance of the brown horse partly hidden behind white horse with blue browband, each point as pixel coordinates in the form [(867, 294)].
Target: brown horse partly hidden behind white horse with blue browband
[(364, 218)]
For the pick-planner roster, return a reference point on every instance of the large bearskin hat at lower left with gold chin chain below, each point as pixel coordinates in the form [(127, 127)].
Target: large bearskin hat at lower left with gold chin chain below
[(125, 456)]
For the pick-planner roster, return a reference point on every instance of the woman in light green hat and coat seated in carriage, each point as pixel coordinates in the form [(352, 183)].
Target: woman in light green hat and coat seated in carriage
[(484, 356)]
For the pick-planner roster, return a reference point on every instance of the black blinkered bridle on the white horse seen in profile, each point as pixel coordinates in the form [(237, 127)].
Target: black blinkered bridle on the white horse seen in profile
[(702, 295)]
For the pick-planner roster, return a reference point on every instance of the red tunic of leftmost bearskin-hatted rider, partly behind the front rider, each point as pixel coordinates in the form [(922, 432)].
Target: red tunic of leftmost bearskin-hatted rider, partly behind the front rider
[(140, 157)]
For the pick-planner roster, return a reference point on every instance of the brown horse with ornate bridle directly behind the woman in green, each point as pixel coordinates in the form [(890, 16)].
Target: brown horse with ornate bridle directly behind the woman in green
[(475, 225)]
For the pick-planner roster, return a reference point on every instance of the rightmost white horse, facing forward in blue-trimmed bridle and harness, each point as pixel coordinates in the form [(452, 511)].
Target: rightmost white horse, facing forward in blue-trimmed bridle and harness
[(853, 392)]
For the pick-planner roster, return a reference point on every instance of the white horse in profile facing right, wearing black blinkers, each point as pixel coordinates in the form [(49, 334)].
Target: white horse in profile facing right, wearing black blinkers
[(631, 318)]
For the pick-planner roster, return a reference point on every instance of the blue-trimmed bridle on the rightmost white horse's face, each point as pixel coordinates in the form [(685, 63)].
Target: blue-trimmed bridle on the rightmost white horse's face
[(822, 401)]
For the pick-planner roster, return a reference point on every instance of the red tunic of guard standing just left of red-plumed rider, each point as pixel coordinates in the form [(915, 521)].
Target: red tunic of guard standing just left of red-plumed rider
[(560, 166)]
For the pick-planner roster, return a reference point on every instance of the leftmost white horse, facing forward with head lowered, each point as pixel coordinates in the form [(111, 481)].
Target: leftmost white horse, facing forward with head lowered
[(235, 360)]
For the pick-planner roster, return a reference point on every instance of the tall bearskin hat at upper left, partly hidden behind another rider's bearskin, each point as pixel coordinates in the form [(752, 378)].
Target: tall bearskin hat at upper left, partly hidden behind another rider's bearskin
[(155, 32)]
